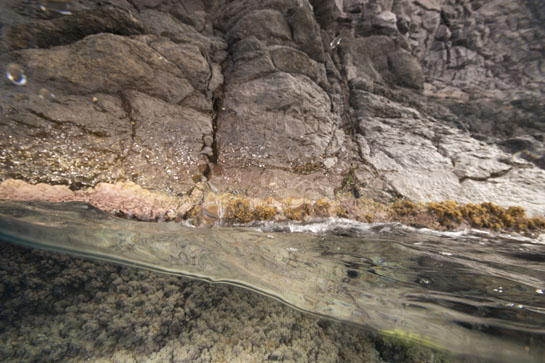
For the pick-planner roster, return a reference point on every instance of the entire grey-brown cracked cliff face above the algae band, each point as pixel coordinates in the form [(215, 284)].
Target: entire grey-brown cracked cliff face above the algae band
[(422, 99)]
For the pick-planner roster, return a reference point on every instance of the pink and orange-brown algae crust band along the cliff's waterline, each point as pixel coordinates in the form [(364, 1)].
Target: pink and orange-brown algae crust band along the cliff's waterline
[(205, 208)]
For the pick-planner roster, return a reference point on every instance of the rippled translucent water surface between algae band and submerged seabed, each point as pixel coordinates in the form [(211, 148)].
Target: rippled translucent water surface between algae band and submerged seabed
[(470, 293)]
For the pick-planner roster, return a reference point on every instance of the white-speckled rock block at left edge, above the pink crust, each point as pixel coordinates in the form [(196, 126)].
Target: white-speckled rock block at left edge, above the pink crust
[(75, 142)]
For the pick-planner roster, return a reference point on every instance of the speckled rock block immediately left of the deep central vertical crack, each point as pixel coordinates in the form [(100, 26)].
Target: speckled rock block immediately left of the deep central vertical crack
[(166, 143)]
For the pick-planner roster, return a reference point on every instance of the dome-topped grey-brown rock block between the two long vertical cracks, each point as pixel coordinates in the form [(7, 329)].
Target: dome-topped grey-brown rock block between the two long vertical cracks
[(262, 128)]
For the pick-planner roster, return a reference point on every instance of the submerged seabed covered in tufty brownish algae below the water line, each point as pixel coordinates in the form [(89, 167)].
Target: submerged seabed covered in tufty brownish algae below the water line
[(81, 310)]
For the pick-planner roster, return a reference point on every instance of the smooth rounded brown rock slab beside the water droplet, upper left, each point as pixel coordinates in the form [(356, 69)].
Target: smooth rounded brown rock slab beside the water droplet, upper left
[(121, 63)]
